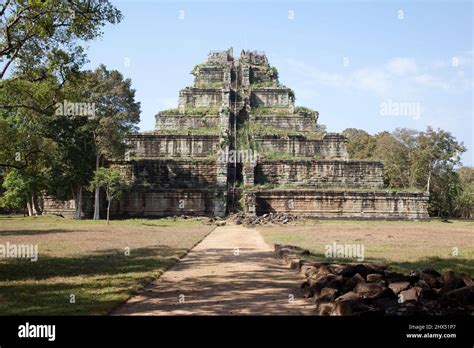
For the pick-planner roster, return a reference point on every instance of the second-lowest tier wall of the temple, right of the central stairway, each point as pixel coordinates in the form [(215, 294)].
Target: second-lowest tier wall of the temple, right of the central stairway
[(320, 173)]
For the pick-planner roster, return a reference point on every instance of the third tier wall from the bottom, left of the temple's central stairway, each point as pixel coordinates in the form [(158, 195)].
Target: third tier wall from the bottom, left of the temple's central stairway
[(155, 146)]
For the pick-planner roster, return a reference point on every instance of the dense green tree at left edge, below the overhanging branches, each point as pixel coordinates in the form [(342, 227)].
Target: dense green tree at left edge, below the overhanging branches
[(25, 152)]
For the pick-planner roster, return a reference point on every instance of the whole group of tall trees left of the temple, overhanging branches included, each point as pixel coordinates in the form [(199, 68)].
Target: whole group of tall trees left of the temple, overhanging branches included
[(58, 122)]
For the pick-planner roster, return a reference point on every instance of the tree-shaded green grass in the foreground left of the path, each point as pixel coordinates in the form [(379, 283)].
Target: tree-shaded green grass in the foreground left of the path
[(99, 281)]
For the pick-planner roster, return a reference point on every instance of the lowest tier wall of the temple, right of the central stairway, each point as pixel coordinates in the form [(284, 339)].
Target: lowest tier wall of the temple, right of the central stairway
[(349, 204)]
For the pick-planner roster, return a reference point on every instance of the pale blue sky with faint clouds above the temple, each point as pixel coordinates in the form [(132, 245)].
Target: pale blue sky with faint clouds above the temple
[(345, 59)]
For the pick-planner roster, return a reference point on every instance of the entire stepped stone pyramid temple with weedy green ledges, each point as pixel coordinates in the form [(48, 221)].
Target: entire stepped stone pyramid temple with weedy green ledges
[(289, 164)]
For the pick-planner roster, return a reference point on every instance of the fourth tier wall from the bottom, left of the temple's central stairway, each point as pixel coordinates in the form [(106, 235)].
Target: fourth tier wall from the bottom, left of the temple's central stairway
[(175, 122)]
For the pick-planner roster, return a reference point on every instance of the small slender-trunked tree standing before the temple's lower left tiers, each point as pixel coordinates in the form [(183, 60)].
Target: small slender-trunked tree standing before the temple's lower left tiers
[(112, 181)]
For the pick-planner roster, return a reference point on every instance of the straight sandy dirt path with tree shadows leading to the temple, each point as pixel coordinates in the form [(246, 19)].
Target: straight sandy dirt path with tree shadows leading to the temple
[(231, 272)]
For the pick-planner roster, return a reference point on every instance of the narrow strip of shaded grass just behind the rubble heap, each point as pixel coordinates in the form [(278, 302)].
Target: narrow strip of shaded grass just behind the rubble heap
[(457, 264)]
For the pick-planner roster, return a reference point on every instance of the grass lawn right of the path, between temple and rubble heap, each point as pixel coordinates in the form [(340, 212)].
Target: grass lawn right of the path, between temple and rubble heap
[(403, 245)]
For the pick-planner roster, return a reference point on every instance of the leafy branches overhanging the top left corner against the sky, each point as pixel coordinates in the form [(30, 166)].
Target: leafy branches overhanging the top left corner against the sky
[(37, 32)]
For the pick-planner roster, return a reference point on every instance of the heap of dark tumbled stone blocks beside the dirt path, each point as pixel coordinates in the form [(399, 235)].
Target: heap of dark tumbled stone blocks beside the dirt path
[(372, 289)]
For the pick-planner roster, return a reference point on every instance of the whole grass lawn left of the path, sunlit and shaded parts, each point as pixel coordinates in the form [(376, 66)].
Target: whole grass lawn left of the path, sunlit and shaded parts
[(87, 259)]
